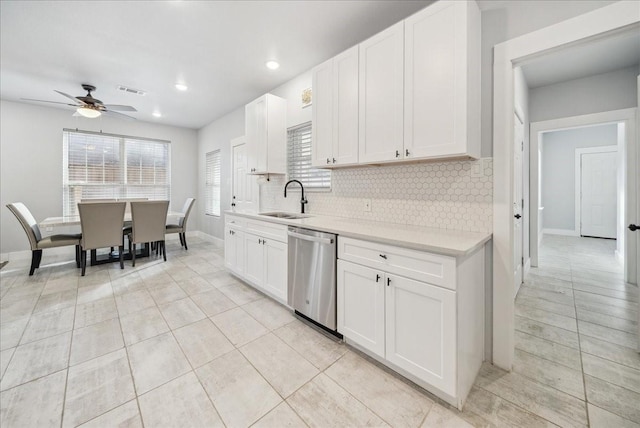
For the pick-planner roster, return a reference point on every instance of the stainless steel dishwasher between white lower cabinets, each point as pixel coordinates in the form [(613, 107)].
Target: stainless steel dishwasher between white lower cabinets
[(312, 276)]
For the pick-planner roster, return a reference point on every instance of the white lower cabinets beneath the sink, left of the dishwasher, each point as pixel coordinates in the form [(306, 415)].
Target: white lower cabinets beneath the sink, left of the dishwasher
[(256, 252)]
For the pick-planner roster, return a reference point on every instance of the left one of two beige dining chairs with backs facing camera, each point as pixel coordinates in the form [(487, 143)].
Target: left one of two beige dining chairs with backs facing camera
[(101, 225)]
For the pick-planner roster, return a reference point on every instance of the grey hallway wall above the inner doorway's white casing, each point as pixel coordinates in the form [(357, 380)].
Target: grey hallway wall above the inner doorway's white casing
[(594, 94)]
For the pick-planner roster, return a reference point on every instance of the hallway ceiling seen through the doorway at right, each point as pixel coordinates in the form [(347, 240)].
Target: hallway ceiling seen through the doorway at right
[(599, 56)]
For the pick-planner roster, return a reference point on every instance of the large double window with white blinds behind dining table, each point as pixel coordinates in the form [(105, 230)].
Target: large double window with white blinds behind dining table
[(109, 166)]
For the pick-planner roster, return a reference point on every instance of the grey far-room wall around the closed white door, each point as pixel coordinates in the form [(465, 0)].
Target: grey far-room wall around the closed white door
[(558, 170)]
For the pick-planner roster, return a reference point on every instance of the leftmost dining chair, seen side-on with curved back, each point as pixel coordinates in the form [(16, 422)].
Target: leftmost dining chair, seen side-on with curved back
[(36, 241)]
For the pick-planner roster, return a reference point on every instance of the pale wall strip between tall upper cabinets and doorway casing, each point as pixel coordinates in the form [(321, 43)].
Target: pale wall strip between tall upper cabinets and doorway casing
[(504, 20)]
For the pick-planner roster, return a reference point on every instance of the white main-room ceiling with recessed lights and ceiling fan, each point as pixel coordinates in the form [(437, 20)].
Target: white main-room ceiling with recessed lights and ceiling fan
[(217, 48)]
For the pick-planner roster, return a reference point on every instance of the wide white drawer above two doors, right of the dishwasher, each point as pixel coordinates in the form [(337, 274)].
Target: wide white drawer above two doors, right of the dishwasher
[(421, 266)]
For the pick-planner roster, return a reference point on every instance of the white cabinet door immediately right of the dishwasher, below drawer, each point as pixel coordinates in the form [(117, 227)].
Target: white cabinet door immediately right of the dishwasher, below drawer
[(361, 306)]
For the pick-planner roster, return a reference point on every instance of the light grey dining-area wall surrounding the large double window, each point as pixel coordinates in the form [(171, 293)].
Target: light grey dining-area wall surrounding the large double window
[(31, 161)]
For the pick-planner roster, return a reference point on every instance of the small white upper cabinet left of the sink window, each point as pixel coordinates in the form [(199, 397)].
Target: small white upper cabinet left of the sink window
[(266, 135)]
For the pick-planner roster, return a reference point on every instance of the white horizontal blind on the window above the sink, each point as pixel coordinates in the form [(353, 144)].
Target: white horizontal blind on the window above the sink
[(299, 159)]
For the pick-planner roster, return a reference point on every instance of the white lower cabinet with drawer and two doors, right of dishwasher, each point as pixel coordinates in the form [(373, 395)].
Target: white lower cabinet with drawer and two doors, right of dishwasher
[(421, 314)]
